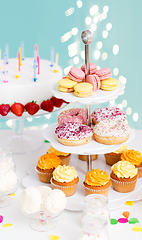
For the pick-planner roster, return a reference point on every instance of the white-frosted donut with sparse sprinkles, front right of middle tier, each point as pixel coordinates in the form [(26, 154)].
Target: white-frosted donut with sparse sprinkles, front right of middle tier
[(111, 131)]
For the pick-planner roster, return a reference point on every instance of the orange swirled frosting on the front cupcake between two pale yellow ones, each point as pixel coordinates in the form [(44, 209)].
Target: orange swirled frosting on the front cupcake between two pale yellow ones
[(97, 177)]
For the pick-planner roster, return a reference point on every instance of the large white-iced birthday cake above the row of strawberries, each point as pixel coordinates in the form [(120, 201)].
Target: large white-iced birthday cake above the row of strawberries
[(28, 86)]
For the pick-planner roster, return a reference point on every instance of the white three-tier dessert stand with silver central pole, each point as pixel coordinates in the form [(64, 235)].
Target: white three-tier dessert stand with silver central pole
[(76, 202)]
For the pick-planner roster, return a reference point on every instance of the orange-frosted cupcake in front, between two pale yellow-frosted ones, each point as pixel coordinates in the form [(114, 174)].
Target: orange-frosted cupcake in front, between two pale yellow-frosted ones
[(97, 181)]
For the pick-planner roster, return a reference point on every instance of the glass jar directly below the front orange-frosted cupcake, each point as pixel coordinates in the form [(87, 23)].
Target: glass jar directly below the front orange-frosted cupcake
[(96, 204)]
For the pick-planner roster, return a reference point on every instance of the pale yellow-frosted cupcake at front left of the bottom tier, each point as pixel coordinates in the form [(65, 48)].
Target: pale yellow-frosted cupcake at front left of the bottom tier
[(65, 178)]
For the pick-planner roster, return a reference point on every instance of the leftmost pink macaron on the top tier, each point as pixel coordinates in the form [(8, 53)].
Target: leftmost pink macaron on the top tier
[(76, 74)]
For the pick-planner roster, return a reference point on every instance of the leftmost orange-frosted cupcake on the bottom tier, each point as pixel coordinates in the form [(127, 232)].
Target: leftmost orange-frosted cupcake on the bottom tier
[(46, 165)]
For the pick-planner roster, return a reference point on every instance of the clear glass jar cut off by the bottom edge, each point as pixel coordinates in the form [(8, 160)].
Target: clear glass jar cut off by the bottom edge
[(94, 227)]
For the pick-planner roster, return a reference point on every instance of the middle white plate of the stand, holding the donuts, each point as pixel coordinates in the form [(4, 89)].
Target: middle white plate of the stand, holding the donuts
[(92, 147)]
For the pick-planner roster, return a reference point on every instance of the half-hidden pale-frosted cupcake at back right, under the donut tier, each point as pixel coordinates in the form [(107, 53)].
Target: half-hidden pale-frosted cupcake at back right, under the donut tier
[(114, 157)]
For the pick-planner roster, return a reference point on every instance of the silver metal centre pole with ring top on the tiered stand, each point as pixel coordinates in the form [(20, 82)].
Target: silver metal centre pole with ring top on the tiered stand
[(87, 38)]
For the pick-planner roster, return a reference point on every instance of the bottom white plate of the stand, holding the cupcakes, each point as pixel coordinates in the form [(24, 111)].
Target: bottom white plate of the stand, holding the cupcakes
[(76, 202)]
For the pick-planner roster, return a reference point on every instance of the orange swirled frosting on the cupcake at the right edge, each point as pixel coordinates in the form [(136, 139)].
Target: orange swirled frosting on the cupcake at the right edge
[(132, 156)]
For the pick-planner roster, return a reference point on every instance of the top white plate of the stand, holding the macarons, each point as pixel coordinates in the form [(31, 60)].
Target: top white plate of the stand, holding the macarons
[(98, 96)]
